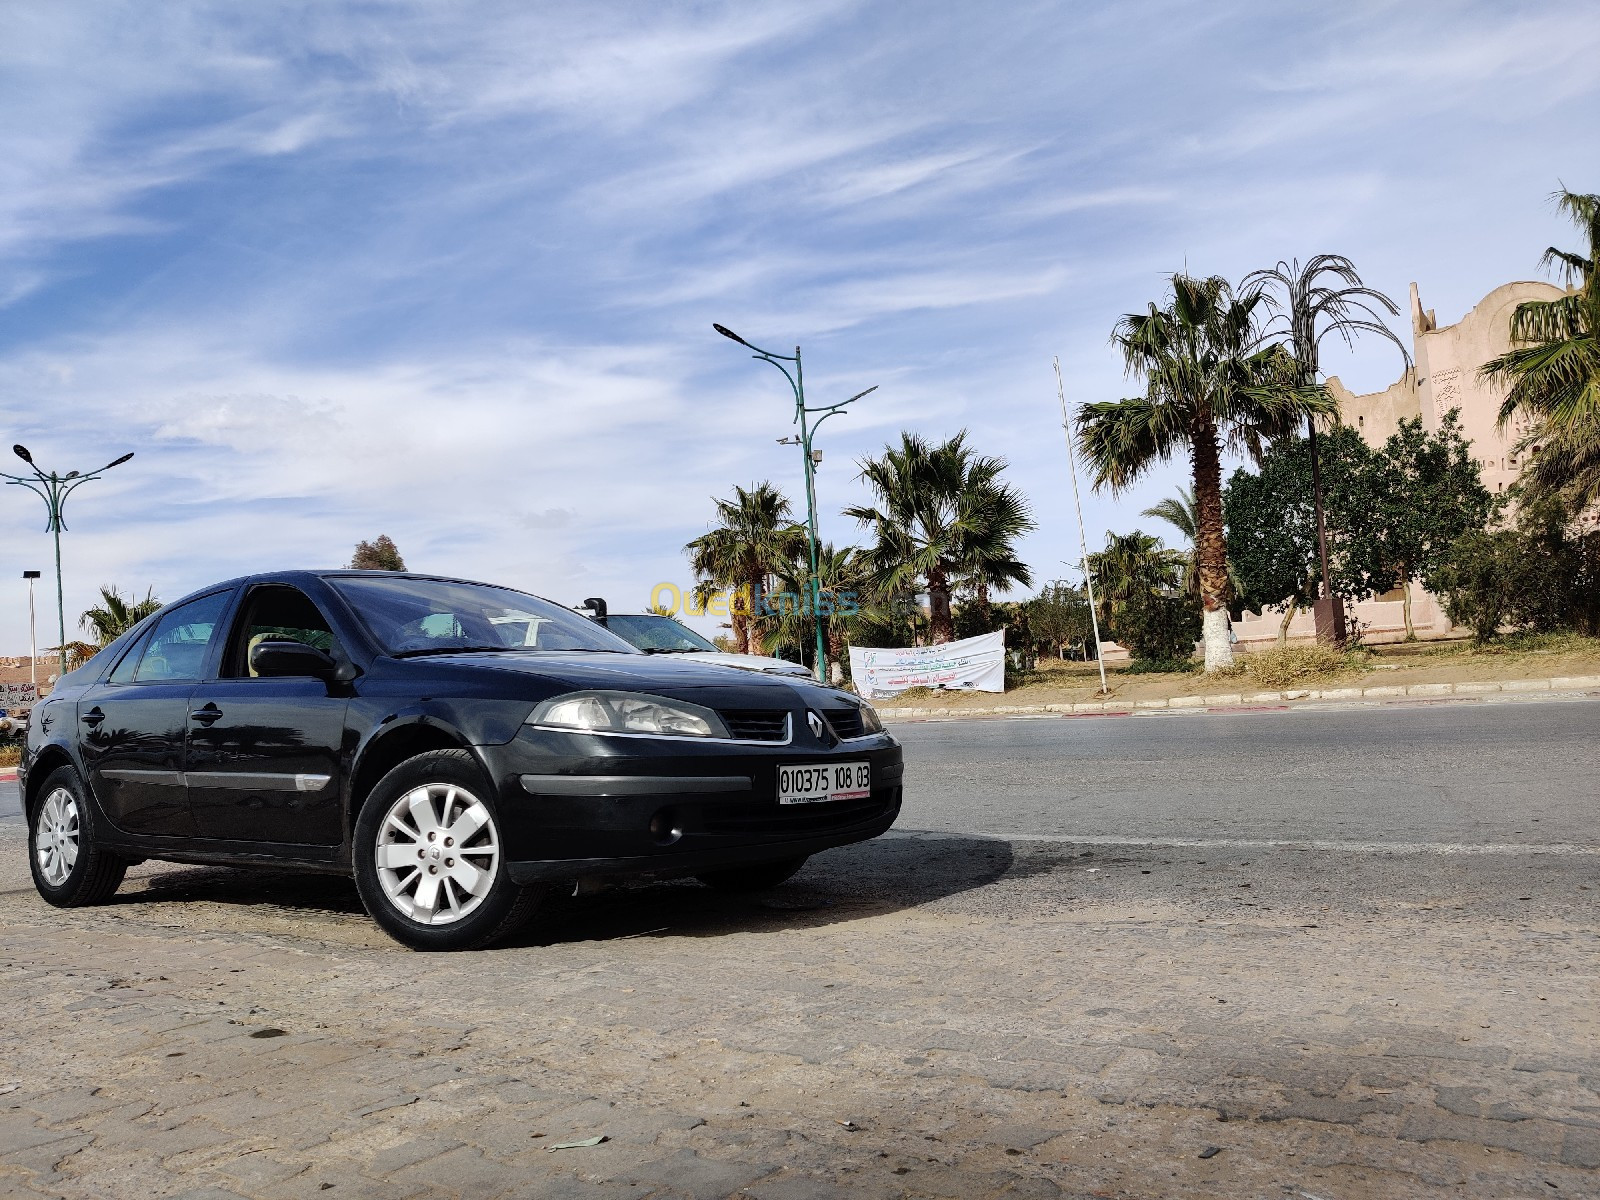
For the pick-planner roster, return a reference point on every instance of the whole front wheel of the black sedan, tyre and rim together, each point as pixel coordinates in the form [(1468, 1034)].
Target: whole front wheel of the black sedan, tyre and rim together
[(454, 895)]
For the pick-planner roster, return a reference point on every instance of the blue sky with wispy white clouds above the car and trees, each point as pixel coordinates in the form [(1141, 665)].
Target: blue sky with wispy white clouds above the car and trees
[(449, 271)]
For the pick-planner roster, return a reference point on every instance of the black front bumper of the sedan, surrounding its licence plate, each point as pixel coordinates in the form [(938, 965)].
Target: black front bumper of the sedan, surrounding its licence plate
[(580, 806)]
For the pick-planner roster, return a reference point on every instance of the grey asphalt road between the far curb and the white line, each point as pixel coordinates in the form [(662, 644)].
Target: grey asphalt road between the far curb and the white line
[(1428, 775)]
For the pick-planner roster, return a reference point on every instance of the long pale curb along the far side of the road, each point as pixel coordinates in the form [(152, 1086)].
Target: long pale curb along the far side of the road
[(1255, 702)]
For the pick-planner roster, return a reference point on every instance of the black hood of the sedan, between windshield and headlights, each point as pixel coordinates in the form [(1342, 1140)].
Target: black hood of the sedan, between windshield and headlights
[(687, 678)]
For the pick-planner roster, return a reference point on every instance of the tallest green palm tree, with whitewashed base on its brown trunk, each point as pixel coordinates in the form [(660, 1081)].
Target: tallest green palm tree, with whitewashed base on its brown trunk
[(1207, 388)]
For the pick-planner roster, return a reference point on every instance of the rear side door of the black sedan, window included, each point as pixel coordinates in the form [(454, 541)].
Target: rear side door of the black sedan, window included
[(132, 724)]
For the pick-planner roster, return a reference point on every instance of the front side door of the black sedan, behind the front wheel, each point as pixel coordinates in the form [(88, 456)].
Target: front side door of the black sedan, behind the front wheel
[(266, 756)]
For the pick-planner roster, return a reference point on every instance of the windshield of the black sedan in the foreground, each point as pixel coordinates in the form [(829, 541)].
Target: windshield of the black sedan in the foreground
[(433, 617)]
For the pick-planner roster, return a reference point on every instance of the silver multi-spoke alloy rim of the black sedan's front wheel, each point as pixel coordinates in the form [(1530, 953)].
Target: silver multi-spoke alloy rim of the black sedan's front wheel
[(438, 852)]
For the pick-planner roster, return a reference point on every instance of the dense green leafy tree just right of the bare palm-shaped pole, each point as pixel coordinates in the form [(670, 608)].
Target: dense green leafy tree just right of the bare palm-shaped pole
[(1428, 494)]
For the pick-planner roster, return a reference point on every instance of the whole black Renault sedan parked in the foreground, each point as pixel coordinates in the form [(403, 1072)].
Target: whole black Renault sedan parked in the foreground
[(458, 748)]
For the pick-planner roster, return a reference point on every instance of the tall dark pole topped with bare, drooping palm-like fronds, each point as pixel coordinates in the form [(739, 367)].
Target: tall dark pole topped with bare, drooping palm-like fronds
[(1308, 313)]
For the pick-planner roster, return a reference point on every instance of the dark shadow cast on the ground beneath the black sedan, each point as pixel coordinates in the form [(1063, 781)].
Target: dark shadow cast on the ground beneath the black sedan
[(878, 878)]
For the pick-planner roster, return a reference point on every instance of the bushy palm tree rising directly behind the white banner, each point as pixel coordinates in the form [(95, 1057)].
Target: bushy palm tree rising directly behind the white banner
[(942, 518)]
